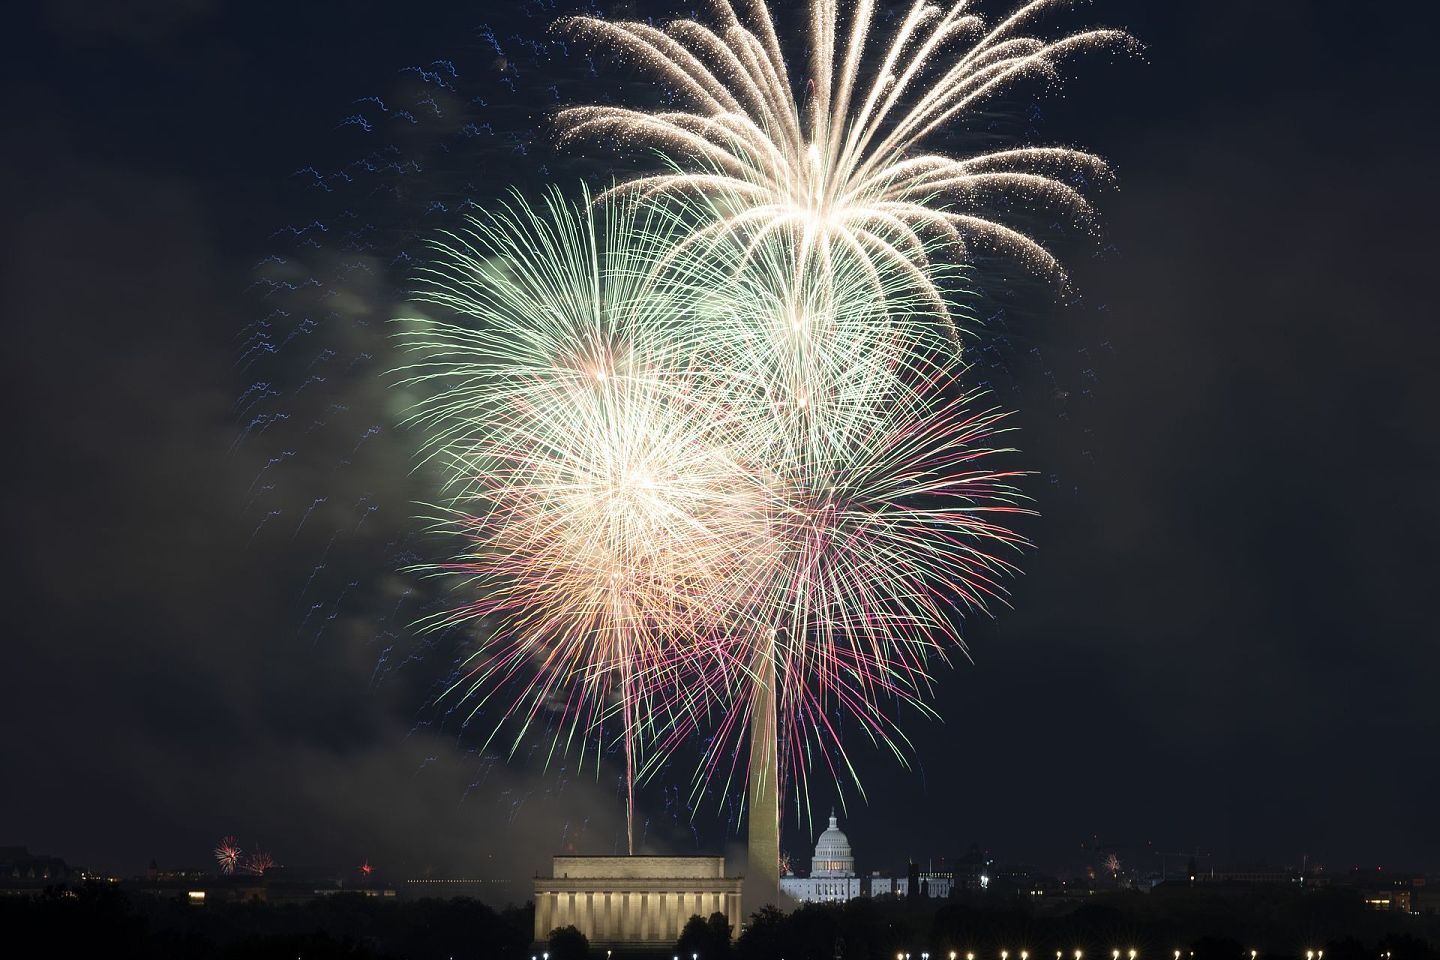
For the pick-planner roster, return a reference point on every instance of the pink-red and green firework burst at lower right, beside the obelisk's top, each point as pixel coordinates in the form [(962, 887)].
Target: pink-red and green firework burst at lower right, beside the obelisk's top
[(878, 559)]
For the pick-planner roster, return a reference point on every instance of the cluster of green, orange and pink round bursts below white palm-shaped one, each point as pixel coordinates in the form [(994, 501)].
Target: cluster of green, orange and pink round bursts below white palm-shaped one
[(663, 477)]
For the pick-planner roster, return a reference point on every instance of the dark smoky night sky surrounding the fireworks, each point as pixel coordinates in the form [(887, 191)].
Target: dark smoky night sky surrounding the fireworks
[(1223, 643)]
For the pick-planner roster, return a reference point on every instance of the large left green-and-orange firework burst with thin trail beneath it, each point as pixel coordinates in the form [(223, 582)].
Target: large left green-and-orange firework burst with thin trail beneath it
[(594, 470)]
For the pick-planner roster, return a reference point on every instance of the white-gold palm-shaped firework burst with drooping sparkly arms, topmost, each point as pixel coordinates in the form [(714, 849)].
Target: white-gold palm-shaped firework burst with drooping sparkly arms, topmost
[(843, 169)]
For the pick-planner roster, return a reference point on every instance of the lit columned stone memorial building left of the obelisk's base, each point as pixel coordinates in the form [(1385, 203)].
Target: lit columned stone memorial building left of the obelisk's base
[(634, 900)]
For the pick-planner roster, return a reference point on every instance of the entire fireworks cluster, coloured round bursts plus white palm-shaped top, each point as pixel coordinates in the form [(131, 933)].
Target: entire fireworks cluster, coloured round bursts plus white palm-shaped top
[(702, 443)]
